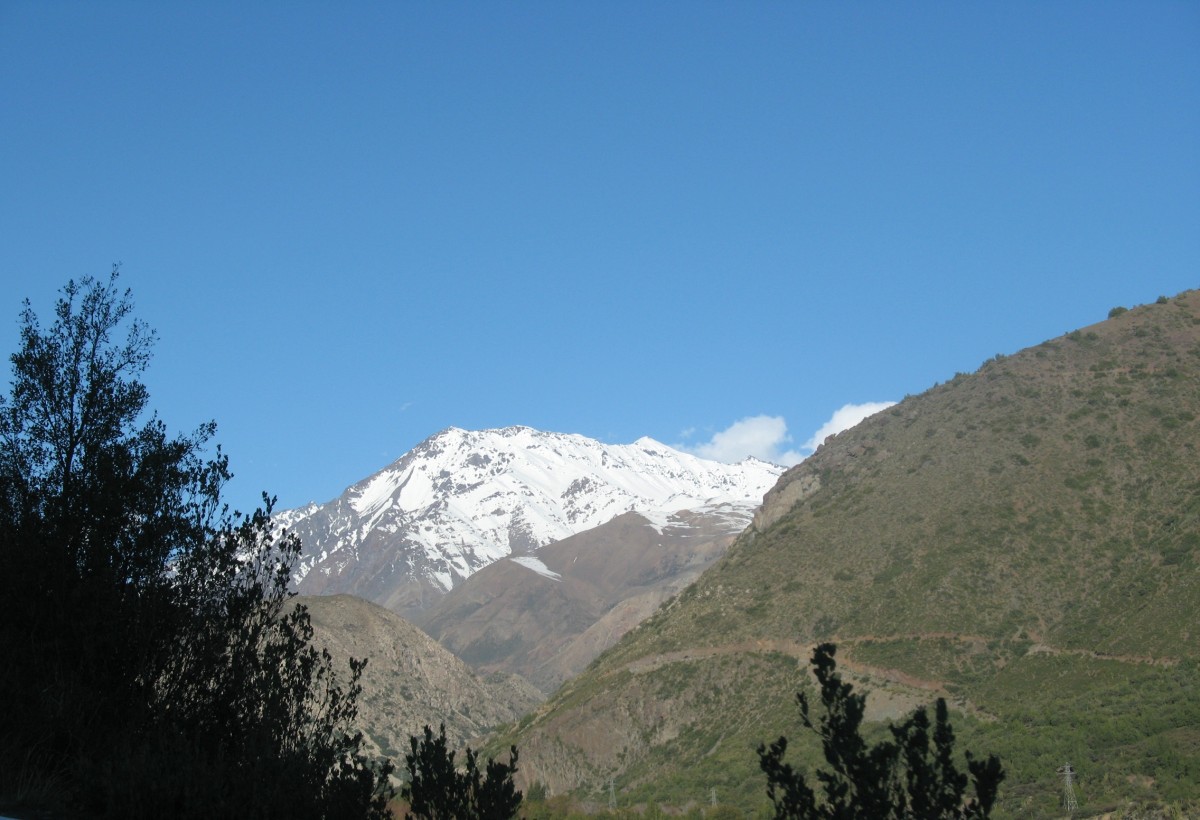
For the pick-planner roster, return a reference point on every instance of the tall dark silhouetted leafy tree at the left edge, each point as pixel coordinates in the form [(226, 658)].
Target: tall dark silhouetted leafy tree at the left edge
[(152, 665)]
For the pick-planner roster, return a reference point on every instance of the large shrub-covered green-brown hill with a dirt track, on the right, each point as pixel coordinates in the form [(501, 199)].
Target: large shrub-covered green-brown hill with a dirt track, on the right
[(1024, 541)]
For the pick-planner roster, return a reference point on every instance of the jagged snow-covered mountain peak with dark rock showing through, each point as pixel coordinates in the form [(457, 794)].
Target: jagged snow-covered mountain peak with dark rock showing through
[(463, 500)]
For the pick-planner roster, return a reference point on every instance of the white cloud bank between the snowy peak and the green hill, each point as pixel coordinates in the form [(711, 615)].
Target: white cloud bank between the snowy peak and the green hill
[(766, 436)]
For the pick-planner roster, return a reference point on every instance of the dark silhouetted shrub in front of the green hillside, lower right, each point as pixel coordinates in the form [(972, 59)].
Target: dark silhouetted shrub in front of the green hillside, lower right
[(897, 780)]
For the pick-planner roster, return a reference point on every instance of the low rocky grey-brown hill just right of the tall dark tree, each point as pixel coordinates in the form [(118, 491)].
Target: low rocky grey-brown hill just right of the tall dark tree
[(411, 680)]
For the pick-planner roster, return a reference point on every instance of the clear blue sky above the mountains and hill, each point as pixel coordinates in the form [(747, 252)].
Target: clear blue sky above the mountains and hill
[(355, 225)]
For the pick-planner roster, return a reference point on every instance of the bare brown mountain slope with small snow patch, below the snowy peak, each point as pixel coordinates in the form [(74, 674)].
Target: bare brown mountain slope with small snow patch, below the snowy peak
[(548, 614)]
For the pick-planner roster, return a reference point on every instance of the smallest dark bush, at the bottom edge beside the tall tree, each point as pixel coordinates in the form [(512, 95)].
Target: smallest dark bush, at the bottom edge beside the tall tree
[(437, 791)]
